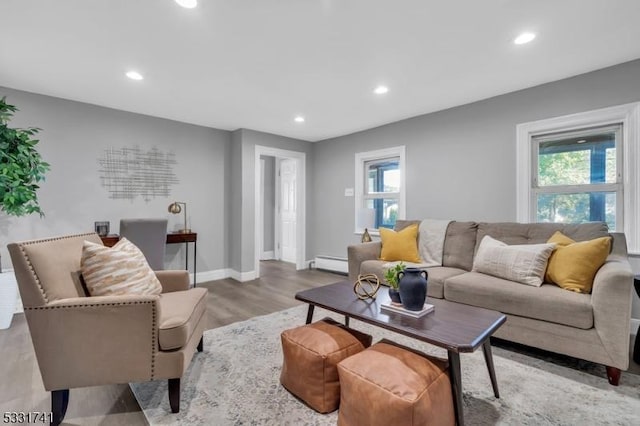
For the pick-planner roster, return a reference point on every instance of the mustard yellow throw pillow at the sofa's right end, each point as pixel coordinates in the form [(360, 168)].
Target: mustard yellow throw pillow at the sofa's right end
[(573, 265)]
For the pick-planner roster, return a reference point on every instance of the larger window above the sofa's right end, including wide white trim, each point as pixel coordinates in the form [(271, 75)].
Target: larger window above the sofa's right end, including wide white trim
[(582, 167)]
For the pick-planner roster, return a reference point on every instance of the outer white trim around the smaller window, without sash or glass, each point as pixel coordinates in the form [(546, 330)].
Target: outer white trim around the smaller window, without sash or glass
[(361, 158)]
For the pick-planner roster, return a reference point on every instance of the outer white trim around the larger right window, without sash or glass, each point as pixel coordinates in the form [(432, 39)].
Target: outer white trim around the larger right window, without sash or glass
[(629, 116)]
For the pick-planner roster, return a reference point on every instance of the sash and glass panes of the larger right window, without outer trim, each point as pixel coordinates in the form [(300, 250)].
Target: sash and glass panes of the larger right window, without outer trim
[(577, 176)]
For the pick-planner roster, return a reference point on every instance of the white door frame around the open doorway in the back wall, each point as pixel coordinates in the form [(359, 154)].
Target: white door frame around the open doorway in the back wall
[(300, 159)]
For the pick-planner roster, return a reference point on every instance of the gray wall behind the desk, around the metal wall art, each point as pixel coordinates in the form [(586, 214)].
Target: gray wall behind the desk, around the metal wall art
[(75, 135)]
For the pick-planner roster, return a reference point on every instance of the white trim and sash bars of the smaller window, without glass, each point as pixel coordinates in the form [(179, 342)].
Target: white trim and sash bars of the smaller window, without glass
[(361, 182)]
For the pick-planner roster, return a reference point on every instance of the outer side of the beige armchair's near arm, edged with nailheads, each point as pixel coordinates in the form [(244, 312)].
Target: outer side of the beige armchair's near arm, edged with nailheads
[(88, 341)]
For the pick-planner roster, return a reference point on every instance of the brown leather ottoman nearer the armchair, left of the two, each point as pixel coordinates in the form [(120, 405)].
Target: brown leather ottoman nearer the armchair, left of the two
[(311, 354)]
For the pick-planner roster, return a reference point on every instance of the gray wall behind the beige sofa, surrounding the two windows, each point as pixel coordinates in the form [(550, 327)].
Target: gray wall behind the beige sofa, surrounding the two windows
[(461, 162)]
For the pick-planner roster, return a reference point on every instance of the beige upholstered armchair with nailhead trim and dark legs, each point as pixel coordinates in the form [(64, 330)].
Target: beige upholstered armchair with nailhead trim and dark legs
[(81, 340)]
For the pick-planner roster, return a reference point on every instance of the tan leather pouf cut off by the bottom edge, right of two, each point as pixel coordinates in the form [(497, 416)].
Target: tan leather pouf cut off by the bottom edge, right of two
[(391, 385)]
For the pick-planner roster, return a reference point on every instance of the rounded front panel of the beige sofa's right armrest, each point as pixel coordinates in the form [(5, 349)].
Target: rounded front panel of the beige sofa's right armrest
[(611, 301)]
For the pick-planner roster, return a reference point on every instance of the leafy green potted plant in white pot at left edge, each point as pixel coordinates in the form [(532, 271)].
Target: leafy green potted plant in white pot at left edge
[(21, 169)]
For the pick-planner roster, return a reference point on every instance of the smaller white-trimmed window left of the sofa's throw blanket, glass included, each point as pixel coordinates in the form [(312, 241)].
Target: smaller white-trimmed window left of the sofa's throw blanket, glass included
[(379, 190)]
